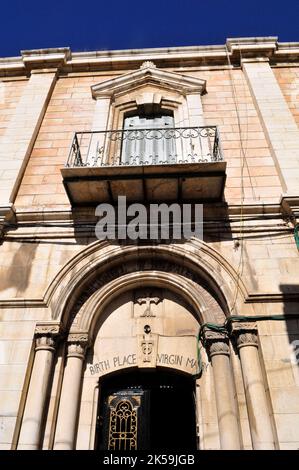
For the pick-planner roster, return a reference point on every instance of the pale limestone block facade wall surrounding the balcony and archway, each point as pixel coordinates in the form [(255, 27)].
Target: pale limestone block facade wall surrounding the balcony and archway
[(252, 245)]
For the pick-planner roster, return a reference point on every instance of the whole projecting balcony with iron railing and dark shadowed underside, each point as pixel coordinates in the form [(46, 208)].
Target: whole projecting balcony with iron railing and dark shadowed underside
[(167, 164)]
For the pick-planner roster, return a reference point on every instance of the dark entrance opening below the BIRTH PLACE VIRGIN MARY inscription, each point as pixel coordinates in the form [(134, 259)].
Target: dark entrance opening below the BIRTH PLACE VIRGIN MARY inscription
[(146, 411)]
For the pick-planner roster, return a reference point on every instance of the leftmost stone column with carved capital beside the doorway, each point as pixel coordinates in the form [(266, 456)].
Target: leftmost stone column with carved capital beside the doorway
[(30, 433)]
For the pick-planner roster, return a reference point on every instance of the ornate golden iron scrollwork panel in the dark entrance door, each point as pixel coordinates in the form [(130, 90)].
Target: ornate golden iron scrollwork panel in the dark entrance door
[(123, 423)]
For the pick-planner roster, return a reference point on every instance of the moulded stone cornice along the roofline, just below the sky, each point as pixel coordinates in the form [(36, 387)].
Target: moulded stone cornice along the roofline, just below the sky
[(234, 49)]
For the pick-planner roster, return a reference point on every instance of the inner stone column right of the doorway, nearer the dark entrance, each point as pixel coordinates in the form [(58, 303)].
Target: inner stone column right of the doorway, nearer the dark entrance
[(218, 350)]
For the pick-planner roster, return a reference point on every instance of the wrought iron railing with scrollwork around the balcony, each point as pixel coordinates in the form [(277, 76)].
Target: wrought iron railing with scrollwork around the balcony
[(145, 147)]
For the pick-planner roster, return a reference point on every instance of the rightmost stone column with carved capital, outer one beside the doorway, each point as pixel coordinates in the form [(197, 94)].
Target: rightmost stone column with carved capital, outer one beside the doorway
[(256, 399)]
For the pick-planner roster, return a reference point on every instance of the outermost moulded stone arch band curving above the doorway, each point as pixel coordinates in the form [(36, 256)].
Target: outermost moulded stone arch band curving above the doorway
[(101, 263)]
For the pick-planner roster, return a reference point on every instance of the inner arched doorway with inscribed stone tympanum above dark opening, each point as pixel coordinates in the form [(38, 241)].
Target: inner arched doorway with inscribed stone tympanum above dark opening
[(144, 358)]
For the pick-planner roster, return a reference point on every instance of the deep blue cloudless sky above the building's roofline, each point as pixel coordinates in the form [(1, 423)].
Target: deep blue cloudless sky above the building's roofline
[(114, 24)]
